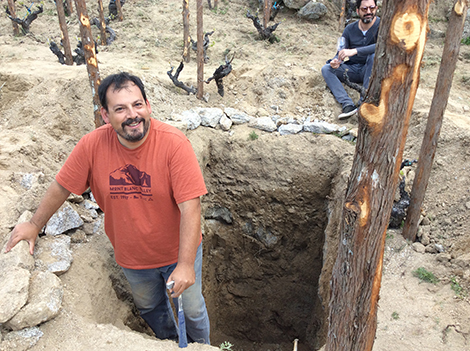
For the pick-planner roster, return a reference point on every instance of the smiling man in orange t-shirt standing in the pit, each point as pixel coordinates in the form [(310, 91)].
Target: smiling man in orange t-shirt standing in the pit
[(145, 177)]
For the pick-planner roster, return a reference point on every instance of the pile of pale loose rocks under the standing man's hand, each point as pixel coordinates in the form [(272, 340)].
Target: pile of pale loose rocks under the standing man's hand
[(31, 291)]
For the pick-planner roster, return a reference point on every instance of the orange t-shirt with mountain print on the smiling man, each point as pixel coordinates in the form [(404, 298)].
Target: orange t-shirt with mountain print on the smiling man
[(138, 190)]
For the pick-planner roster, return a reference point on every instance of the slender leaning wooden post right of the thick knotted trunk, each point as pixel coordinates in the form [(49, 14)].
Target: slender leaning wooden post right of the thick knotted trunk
[(436, 113)]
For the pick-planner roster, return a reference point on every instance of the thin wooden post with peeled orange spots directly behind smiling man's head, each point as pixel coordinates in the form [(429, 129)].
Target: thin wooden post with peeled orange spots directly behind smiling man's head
[(90, 58)]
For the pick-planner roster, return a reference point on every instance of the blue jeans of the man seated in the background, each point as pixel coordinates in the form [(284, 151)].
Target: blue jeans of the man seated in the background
[(357, 73)]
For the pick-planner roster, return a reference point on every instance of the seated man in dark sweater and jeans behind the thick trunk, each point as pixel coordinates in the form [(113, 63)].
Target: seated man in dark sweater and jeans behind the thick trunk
[(359, 48)]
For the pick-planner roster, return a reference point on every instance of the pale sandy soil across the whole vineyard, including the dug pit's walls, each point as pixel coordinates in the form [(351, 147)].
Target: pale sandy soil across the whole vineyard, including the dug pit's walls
[(261, 272)]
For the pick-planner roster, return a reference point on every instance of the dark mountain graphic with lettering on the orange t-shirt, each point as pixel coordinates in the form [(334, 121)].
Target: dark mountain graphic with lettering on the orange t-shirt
[(128, 182)]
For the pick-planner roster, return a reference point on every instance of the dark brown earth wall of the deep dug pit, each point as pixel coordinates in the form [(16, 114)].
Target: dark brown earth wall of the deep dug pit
[(268, 257)]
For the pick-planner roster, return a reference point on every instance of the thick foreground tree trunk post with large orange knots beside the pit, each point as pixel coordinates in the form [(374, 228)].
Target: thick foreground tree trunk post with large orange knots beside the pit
[(383, 124)]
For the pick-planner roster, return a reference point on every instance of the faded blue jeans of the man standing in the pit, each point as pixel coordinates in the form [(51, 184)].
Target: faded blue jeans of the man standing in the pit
[(150, 296)]
